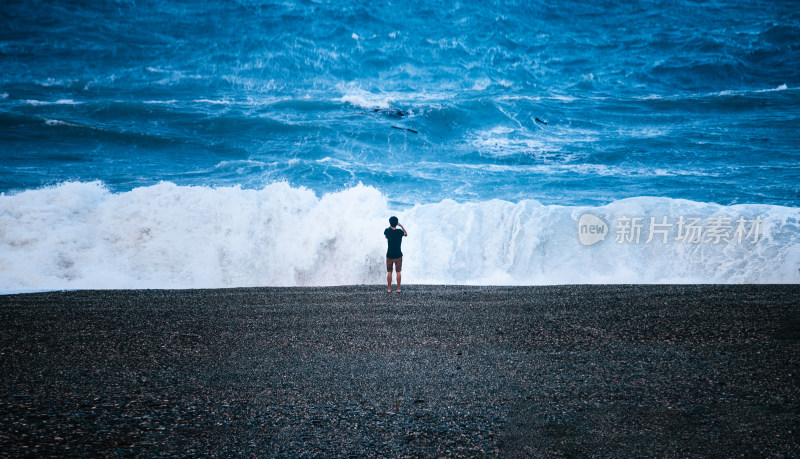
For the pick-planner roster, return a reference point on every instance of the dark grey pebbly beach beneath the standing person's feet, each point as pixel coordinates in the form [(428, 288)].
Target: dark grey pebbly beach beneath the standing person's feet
[(436, 371)]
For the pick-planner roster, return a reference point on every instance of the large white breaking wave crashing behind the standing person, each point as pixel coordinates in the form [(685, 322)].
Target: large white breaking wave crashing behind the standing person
[(80, 235)]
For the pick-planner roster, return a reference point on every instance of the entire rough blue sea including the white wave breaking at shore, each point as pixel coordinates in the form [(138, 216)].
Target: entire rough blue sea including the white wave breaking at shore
[(228, 143)]
